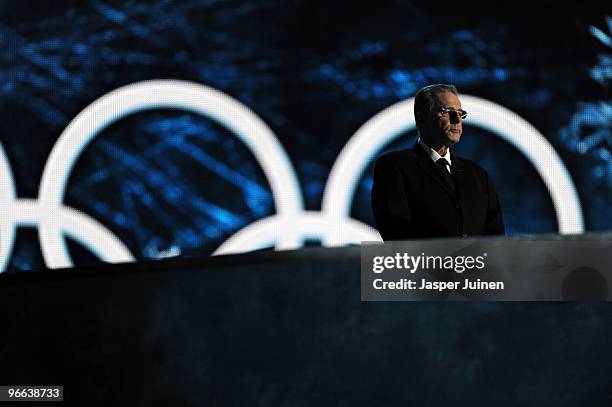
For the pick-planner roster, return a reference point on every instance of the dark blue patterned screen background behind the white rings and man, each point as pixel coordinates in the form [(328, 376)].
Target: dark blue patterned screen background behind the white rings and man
[(314, 72)]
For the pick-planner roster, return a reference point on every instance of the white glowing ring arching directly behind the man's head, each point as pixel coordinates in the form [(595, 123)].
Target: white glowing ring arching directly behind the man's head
[(397, 119)]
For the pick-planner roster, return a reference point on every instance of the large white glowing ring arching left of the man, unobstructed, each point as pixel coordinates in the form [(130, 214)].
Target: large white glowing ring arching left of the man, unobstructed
[(157, 94)]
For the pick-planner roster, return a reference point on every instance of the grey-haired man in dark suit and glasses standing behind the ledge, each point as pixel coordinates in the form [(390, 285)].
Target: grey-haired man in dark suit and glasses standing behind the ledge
[(426, 191)]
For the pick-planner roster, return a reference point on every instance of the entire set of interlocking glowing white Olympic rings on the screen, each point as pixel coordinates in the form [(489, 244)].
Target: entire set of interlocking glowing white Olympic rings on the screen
[(291, 224)]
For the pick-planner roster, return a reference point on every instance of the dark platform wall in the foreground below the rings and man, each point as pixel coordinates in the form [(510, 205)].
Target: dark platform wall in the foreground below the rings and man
[(289, 329)]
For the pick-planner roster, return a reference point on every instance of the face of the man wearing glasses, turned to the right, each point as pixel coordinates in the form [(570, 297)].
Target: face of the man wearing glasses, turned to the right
[(444, 128)]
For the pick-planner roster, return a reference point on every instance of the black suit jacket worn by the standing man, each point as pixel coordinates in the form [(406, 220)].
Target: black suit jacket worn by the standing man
[(411, 200)]
